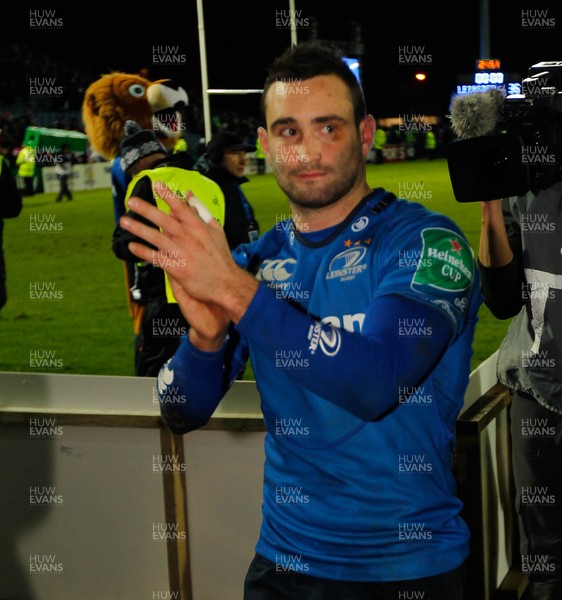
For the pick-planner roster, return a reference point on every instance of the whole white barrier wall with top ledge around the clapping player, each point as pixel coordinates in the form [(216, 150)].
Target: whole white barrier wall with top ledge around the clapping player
[(84, 478)]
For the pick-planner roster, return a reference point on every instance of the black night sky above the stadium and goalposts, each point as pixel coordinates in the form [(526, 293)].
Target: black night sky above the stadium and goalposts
[(242, 38)]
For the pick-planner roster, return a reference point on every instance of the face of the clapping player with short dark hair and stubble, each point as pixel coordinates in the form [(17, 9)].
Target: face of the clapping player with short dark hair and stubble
[(315, 150)]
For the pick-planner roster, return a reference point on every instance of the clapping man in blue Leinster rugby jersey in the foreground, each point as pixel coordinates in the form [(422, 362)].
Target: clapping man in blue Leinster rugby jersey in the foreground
[(358, 314)]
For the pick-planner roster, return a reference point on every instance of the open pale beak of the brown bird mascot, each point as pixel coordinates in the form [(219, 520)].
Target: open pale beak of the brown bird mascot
[(167, 99)]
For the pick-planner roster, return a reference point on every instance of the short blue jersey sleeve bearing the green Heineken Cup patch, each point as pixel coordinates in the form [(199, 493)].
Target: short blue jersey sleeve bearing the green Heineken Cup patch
[(432, 264)]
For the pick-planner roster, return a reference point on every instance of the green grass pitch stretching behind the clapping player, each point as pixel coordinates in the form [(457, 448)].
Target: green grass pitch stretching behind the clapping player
[(82, 325)]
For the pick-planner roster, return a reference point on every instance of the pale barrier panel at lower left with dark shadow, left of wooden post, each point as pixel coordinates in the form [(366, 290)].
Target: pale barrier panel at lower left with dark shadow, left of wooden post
[(77, 512)]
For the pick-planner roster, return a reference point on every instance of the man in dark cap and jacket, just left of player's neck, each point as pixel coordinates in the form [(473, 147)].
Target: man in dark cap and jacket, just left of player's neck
[(224, 162)]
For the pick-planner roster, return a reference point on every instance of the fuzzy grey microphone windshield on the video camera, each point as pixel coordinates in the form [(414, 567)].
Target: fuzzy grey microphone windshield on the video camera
[(476, 114)]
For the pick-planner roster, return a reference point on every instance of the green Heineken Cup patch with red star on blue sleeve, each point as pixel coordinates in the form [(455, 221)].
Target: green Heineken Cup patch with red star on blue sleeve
[(446, 261)]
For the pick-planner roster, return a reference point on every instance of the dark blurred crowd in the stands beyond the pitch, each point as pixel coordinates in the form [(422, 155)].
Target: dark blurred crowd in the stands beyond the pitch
[(19, 110)]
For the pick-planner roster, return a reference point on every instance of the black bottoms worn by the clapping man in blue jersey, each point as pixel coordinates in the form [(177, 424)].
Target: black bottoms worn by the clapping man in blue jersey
[(265, 581)]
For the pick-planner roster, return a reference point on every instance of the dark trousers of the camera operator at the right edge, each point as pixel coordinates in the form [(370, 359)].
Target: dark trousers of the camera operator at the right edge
[(536, 434)]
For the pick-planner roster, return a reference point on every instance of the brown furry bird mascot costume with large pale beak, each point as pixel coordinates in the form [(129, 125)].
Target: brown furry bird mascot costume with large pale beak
[(108, 104)]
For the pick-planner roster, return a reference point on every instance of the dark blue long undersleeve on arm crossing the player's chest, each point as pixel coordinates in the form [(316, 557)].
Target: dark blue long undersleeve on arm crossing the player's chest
[(342, 365)]
